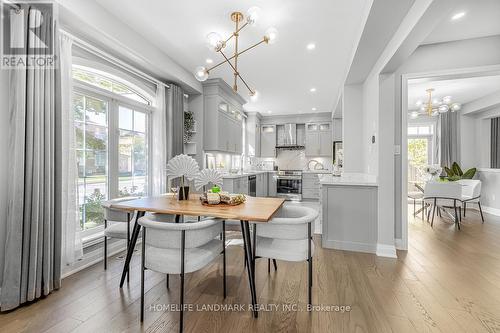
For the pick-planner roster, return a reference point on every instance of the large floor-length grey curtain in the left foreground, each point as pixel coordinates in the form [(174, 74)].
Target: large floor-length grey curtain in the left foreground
[(33, 227)]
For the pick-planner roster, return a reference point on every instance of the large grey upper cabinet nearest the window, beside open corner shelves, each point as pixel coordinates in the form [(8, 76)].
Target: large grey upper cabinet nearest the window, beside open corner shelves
[(223, 118)]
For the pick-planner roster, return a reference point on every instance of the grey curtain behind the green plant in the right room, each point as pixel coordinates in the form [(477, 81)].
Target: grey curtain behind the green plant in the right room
[(450, 138)]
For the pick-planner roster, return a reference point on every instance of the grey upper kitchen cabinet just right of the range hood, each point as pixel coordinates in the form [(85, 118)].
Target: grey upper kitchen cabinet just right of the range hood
[(318, 139)]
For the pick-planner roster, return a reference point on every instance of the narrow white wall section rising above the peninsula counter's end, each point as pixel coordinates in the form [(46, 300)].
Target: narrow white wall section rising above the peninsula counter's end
[(352, 128)]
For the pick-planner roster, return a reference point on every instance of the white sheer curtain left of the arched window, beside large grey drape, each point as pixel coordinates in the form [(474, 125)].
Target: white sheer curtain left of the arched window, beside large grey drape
[(71, 231)]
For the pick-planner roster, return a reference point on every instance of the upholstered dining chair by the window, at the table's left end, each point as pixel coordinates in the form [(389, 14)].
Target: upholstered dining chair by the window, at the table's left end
[(116, 224)]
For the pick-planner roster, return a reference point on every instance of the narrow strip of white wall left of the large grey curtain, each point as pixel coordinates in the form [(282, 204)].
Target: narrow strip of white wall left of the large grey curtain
[(4, 162)]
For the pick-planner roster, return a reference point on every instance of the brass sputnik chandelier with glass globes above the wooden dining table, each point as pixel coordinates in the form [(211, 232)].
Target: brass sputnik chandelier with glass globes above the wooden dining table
[(217, 44)]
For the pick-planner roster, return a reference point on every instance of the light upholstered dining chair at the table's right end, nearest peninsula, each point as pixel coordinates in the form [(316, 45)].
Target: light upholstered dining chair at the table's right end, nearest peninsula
[(288, 236)]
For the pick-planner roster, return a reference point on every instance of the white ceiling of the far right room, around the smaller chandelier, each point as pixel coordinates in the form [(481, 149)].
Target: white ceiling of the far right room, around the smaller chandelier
[(462, 90)]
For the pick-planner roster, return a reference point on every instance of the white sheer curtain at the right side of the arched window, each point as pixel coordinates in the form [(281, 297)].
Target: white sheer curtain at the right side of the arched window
[(159, 185)]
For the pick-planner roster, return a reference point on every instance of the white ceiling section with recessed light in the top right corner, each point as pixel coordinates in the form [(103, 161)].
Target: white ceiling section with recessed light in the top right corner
[(482, 19)]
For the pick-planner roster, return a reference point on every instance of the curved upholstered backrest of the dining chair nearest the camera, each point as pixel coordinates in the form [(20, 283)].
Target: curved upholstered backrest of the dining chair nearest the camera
[(163, 232)]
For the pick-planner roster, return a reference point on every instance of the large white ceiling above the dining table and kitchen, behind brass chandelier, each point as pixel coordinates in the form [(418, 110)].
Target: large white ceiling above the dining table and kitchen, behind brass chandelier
[(284, 72)]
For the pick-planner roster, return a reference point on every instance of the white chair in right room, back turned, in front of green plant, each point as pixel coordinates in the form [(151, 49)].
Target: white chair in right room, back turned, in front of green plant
[(444, 194)]
